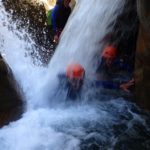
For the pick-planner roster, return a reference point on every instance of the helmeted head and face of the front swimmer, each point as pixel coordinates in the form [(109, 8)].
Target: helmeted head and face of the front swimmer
[(75, 75)]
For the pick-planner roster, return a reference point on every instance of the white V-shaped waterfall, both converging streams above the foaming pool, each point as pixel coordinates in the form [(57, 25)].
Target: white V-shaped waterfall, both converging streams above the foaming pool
[(77, 43)]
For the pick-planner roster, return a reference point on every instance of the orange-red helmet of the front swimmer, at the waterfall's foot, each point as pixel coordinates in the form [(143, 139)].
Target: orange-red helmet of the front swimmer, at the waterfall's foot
[(75, 71)]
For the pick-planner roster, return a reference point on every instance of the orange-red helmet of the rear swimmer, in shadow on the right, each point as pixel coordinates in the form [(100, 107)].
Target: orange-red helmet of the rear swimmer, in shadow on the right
[(109, 52)]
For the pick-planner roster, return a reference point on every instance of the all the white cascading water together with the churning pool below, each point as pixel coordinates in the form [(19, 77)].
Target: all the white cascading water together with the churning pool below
[(51, 124)]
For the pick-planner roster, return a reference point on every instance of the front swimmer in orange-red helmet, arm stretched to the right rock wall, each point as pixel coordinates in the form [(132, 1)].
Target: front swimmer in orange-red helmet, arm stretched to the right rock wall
[(75, 76)]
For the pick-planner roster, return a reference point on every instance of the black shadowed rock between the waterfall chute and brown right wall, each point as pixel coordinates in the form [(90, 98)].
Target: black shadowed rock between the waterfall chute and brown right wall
[(123, 34)]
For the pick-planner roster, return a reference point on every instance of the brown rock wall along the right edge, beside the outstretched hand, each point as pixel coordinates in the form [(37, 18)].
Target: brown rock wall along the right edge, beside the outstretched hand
[(142, 63)]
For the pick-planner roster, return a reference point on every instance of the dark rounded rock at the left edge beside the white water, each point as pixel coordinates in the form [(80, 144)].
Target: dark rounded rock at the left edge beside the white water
[(11, 104)]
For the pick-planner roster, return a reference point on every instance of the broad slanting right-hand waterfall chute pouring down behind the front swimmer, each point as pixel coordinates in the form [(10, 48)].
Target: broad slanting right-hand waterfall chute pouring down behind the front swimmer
[(78, 43)]
